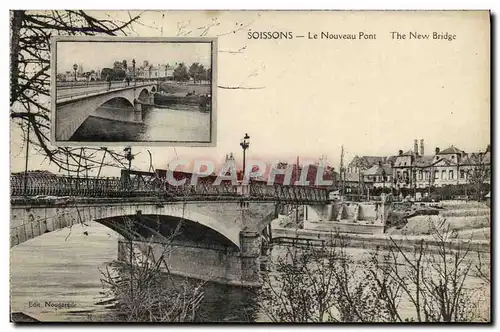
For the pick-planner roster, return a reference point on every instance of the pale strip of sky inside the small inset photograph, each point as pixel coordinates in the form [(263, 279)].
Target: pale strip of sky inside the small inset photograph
[(98, 55)]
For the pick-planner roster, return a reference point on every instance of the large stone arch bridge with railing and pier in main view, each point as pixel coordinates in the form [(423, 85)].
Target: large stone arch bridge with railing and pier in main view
[(217, 230)]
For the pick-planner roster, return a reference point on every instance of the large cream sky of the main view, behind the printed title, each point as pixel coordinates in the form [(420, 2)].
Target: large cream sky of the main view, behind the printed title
[(307, 98)]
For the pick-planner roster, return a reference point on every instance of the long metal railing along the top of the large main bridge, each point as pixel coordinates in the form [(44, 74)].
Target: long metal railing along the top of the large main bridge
[(51, 185)]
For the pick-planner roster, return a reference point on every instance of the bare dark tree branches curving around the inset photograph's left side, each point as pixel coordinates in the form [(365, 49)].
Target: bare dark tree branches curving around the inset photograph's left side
[(31, 33)]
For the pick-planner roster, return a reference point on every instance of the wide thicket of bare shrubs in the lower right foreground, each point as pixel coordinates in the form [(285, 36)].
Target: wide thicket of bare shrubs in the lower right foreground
[(322, 282)]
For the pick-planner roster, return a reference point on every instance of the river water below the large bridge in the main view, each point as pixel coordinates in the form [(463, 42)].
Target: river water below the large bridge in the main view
[(63, 267)]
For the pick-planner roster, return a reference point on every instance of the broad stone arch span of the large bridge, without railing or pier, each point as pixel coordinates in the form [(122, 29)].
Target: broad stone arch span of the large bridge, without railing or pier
[(35, 221)]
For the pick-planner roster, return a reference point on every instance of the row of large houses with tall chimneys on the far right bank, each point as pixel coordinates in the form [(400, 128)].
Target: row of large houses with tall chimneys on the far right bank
[(414, 169)]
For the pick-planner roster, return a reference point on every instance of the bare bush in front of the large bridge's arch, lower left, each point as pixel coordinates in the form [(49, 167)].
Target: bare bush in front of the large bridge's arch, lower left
[(141, 285)]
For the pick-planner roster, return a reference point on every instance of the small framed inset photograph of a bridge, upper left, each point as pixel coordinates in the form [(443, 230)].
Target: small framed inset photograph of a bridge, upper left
[(133, 91)]
